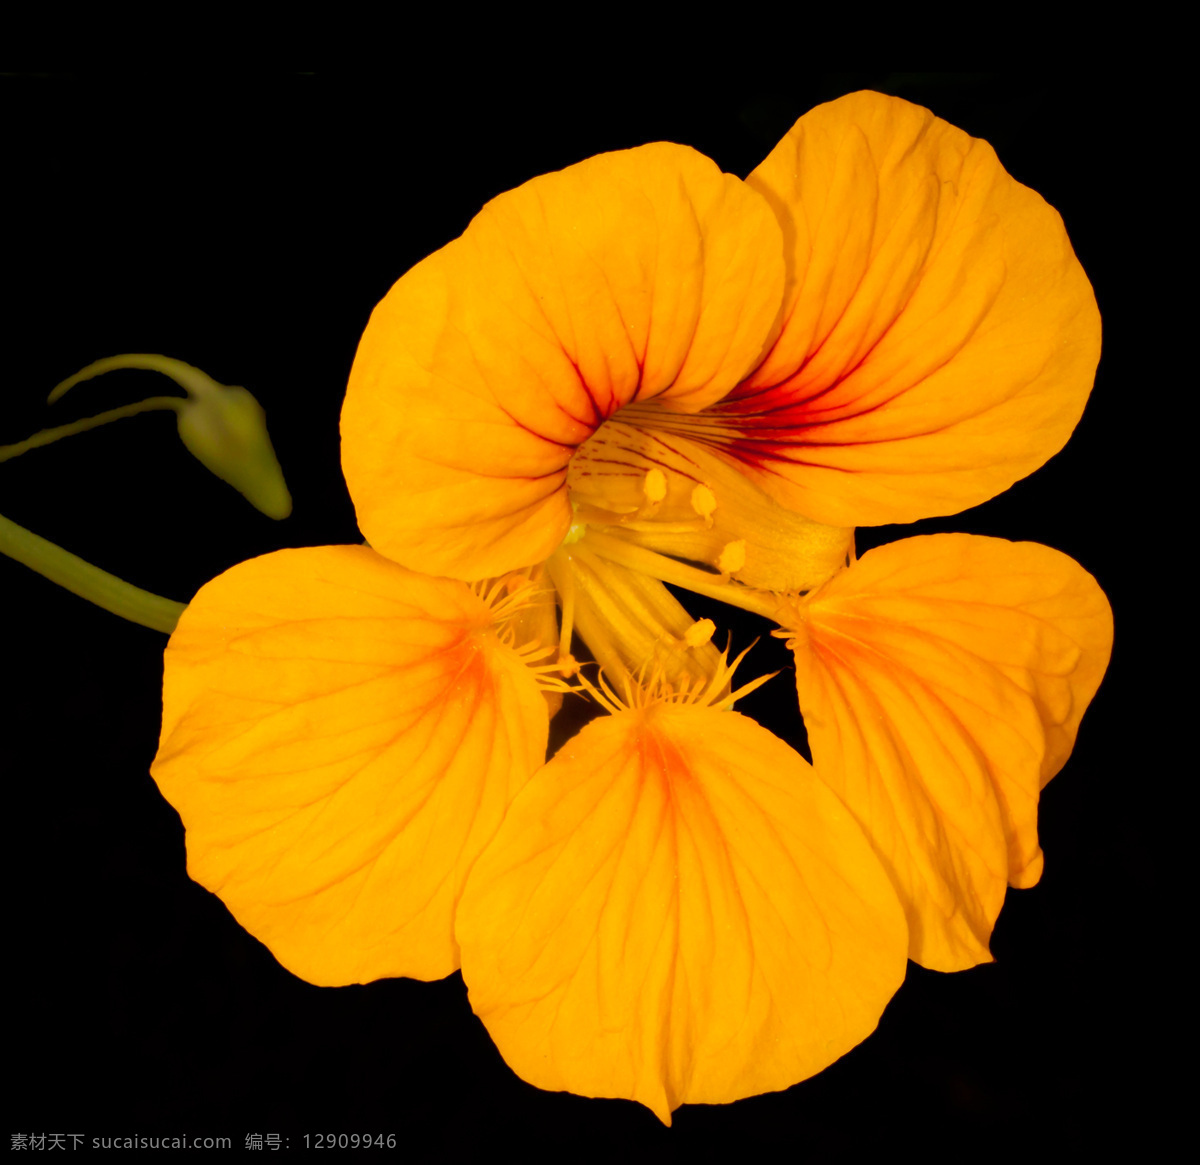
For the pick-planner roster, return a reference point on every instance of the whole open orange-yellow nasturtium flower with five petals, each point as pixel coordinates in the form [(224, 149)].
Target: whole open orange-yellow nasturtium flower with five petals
[(634, 373)]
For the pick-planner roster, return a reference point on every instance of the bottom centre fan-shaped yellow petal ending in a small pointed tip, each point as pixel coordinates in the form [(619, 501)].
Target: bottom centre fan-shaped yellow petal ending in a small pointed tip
[(676, 911)]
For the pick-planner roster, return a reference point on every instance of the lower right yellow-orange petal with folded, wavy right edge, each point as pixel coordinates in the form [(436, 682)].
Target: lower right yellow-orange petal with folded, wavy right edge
[(943, 681)]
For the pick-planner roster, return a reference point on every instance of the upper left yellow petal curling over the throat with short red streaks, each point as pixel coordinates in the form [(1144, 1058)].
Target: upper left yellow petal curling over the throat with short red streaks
[(631, 275)]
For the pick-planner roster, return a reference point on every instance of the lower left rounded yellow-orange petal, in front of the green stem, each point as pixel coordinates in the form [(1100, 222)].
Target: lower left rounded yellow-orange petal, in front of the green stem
[(341, 738)]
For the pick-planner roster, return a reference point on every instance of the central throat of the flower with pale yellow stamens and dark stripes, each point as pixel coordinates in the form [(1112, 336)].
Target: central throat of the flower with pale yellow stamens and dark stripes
[(655, 508)]
